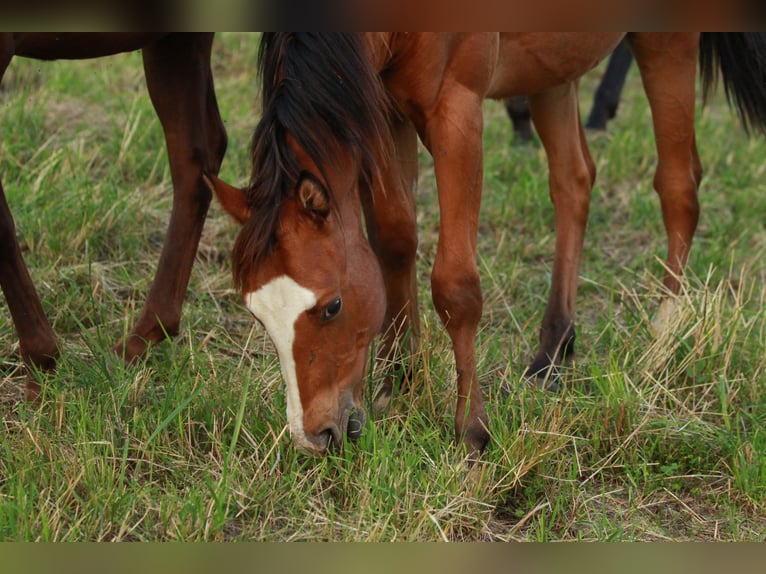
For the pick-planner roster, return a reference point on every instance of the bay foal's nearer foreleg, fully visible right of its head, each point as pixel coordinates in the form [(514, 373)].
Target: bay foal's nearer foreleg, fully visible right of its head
[(454, 138)]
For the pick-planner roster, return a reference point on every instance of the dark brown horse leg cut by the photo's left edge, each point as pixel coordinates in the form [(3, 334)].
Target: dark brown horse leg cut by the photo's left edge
[(37, 342)]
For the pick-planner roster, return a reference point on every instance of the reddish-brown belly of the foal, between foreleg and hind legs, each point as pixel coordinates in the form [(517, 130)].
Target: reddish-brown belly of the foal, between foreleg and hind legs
[(532, 62)]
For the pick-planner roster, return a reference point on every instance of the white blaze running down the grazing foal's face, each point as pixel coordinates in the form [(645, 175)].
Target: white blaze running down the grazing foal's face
[(277, 305)]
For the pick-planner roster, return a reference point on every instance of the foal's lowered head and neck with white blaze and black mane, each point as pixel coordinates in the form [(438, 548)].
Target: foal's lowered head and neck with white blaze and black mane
[(302, 260)]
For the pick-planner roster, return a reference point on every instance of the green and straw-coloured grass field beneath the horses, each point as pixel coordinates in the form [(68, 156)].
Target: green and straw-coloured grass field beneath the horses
[(651, 438)]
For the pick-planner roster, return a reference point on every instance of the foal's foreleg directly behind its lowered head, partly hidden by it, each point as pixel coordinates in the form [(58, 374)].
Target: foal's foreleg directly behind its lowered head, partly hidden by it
[(392, 231)]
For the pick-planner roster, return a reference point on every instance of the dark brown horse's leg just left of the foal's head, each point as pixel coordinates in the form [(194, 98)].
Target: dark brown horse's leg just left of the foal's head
[(180, 84)]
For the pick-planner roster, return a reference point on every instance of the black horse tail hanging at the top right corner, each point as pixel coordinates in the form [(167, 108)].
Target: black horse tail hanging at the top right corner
[(741, 59)]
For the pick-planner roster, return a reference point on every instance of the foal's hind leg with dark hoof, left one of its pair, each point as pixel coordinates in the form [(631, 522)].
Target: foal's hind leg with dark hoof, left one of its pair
[(571, 176)]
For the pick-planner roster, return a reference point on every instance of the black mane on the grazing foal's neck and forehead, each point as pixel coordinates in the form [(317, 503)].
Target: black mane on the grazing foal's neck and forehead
[(322, 90)]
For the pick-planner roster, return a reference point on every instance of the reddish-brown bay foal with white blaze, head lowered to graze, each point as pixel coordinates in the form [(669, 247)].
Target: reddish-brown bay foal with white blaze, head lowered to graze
[(336, 151)]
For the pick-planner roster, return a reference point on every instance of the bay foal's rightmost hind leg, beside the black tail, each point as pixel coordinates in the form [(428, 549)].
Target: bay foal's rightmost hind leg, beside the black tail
[(668, 69)]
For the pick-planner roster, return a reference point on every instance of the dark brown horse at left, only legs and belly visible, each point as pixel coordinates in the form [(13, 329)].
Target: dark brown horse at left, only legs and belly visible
[(180, 84)]
